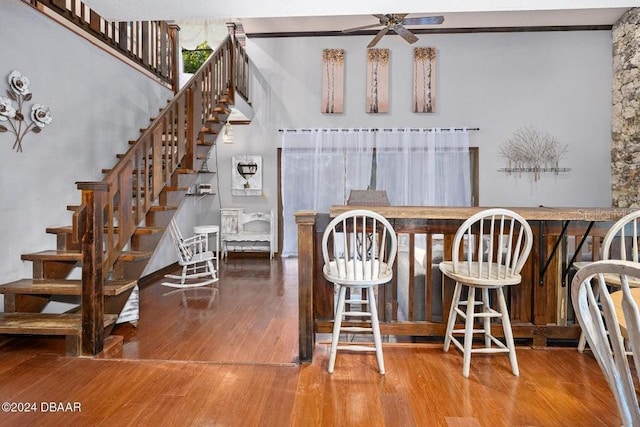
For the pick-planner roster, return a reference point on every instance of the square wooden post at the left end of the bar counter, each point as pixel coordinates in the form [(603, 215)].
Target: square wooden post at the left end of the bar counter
[(306, 245)]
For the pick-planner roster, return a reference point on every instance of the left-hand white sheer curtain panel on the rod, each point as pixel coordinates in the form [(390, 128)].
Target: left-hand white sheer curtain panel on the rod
[(319, 169)]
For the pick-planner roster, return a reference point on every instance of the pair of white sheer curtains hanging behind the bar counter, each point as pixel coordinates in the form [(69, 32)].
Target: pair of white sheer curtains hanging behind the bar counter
[(416, 167)]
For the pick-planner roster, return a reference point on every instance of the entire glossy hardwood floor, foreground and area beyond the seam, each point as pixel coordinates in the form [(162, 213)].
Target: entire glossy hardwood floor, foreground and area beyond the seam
[(229, 360)]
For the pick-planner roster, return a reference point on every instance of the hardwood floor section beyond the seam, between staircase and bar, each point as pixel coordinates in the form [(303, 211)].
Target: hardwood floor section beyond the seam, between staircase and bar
[(252, 318)]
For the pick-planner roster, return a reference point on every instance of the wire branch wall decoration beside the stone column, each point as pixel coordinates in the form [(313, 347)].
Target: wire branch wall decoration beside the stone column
[(529, 150)]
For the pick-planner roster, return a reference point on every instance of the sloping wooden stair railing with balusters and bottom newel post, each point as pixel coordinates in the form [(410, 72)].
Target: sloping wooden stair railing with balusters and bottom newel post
[(119, 203)]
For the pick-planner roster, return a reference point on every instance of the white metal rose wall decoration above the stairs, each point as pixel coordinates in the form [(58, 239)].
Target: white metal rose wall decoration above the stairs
[(14, 117)]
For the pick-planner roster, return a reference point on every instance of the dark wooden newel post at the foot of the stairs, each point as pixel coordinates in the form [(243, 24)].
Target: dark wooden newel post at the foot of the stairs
[(93, 199)]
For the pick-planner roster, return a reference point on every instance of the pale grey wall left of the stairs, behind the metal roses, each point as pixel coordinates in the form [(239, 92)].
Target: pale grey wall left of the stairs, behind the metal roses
[(97, 102)]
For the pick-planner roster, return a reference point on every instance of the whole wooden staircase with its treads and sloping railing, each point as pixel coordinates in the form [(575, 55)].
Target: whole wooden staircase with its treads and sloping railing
[(120, 220)]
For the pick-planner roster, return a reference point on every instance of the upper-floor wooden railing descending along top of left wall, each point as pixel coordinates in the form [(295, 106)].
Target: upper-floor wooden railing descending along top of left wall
[(152, 45)]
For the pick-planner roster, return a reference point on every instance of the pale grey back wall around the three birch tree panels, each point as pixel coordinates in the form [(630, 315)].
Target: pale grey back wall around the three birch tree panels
[(559, 82)]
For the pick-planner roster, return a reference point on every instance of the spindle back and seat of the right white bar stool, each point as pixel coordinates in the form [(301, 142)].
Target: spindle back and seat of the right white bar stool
[(492, 244)]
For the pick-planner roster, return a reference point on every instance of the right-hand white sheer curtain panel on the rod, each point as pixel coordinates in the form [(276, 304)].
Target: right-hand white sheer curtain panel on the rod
[(424, 167)]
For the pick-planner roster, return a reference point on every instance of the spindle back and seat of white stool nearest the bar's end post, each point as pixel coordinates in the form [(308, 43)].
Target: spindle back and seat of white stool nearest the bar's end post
[(359, 246)]
